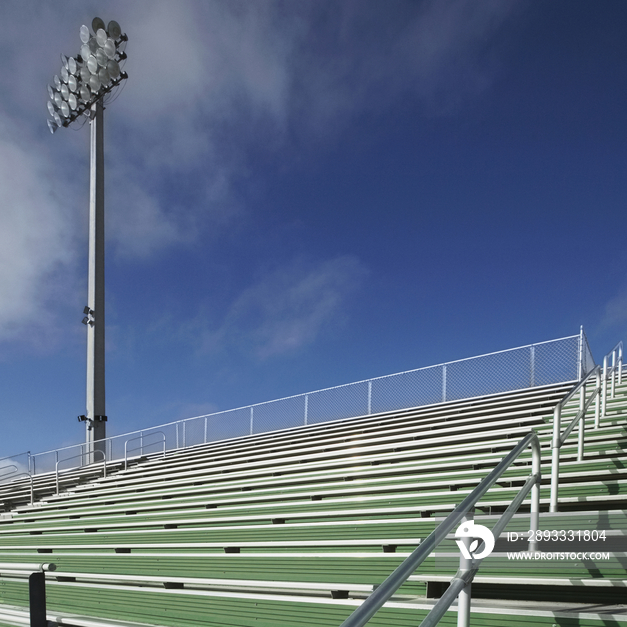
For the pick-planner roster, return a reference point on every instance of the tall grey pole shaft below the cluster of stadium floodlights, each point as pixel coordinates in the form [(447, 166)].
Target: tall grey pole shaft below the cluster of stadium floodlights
[(96, 412)]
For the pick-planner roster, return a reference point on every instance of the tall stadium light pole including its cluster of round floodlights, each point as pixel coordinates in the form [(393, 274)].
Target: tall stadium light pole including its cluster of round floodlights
[(79, 93)]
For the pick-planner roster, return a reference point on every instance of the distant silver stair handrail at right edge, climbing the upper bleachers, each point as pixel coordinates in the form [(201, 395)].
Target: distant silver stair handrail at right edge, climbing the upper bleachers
[(600, 394)]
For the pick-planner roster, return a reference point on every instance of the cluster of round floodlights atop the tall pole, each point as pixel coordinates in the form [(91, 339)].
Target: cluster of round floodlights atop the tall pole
[(90, 75)]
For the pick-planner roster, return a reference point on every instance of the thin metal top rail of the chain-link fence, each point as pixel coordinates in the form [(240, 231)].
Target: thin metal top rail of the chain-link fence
[(251, 406)]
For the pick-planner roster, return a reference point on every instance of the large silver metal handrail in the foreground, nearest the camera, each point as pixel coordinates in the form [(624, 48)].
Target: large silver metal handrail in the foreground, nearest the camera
[(382, 594)]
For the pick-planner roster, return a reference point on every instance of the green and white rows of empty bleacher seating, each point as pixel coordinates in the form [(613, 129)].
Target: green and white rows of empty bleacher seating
[(296, 527)]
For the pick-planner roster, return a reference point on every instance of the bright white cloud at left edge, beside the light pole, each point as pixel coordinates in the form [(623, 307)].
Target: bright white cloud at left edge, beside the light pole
[(36, 243)]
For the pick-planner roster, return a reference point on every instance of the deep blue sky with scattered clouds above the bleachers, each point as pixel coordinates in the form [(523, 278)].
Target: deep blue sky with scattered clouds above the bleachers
[(305, 194)]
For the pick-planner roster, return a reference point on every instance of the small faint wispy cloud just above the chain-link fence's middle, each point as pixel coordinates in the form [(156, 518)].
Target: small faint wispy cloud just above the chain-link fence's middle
[(287, 309)]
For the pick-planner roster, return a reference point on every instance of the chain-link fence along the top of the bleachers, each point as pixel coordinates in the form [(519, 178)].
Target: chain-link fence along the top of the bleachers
[(555, 361)]
